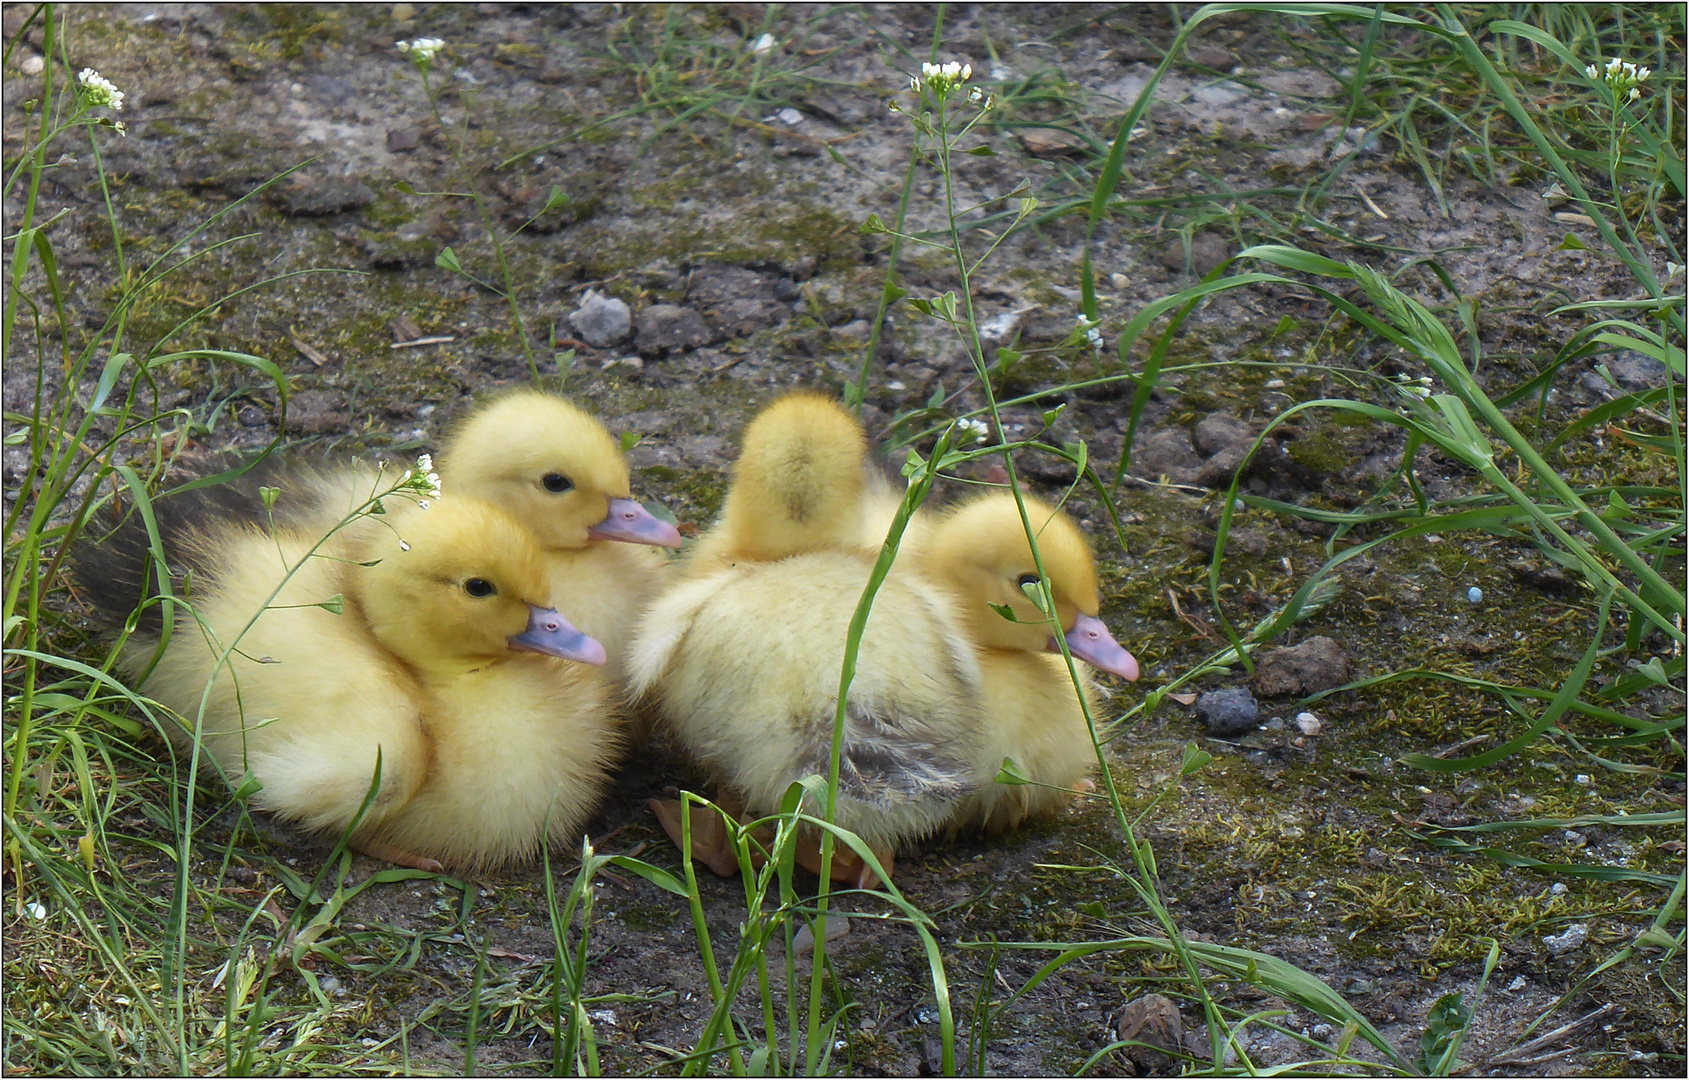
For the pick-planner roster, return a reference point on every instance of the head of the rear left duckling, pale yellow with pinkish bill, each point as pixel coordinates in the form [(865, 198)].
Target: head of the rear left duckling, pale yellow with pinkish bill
[(555, 469)]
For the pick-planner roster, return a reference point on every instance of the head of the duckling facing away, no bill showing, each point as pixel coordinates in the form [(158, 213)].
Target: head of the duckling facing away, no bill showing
[(798, 483)]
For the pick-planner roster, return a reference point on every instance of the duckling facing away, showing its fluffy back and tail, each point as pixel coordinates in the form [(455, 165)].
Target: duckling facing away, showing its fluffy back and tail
[(742, 658)]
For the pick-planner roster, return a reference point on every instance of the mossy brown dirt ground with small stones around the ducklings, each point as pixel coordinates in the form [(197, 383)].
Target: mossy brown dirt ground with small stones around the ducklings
[(737, 246)]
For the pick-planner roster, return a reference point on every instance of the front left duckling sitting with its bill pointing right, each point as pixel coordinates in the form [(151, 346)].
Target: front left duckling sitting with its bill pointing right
[(443, 663)]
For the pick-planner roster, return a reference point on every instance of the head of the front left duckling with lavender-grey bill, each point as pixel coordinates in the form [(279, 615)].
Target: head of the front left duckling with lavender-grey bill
[(460, 582)]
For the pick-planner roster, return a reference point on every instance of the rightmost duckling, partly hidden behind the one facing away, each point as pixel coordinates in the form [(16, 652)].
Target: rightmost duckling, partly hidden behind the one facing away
[(980, 555)]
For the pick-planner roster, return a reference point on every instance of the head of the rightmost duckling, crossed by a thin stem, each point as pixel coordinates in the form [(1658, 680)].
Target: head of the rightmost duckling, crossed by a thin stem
[(980, 550)]
